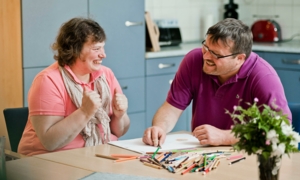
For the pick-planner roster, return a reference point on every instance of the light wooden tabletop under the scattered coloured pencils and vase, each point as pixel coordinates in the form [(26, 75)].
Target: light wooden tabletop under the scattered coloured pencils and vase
[(85, 159)]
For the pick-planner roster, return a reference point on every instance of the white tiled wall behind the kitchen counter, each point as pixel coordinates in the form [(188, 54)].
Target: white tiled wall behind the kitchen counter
[(191, 14)]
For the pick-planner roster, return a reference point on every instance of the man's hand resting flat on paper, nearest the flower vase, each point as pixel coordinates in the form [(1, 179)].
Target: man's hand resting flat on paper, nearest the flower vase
[(210, 135)]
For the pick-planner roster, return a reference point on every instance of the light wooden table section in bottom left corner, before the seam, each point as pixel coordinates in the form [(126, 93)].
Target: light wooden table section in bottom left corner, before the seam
[(32, 168)]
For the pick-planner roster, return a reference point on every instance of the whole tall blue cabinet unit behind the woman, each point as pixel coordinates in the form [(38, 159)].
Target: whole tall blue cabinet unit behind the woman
[(124, 25)]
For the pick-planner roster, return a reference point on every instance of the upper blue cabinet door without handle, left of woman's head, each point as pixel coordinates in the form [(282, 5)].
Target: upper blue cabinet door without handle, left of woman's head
[(41, 21)]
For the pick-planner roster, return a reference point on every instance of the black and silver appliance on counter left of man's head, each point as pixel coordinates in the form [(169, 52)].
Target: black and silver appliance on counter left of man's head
[(169, 32)]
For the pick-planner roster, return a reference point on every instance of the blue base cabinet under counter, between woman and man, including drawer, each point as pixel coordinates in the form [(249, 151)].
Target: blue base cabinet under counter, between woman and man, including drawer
[(159, 76)]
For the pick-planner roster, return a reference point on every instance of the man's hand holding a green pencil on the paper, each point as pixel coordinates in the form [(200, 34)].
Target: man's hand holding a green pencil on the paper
[(154, 136)]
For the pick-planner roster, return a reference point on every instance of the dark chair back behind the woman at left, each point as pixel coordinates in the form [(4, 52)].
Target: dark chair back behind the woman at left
[(15, 119)]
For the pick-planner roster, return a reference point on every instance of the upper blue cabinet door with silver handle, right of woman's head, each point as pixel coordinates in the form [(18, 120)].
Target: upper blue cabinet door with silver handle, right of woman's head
[(123, 23)]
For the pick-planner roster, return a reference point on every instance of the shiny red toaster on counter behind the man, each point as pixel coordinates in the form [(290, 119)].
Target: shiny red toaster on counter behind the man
[(266, 31)]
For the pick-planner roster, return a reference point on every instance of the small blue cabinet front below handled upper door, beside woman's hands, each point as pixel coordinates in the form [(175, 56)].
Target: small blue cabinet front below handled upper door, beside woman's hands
[(134, 89)]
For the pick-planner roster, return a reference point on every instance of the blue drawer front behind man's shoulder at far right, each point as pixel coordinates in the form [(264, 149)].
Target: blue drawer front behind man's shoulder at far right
[(283, 60)]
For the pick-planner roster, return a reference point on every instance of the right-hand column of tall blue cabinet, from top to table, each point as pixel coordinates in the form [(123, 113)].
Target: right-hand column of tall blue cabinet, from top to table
[(124, 25)]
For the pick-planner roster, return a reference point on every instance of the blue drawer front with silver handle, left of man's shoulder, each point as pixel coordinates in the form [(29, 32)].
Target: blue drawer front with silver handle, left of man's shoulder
[(163, 65)]
